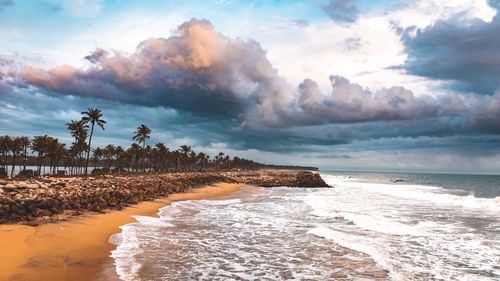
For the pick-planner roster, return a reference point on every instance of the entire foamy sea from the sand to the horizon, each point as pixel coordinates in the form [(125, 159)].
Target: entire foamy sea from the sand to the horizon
[(369, 226)]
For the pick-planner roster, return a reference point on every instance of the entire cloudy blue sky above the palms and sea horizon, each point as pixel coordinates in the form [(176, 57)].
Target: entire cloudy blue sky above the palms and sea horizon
[(410, 86)]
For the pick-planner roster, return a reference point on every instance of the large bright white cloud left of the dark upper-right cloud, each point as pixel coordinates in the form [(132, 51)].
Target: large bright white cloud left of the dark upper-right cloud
[(318, 50)]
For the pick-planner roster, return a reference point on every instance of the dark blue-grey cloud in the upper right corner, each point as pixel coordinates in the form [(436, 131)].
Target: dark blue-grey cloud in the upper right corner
[(462, 52)]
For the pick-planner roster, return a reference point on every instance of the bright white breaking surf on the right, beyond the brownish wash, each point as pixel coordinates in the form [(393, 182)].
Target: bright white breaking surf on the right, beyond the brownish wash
[(417, 232)]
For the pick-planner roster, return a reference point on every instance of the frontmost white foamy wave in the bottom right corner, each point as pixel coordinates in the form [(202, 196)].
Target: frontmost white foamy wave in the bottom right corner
[(450, 257)]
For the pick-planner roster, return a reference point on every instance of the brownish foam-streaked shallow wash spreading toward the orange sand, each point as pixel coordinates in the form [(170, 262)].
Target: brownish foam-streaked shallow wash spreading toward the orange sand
[(232, 239)]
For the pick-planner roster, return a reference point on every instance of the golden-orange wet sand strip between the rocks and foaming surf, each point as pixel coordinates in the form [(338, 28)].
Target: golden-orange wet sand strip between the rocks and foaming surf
[(78, 249)]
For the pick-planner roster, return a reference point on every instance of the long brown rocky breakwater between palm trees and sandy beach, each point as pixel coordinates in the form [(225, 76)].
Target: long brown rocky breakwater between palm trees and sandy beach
[(48, 199)]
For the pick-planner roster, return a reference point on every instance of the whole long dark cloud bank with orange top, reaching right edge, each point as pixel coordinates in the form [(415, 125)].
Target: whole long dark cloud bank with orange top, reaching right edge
[(230, 85)]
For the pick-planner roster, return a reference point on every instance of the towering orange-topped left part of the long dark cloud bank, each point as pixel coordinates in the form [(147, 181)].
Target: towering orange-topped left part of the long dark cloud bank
[(197, 70)]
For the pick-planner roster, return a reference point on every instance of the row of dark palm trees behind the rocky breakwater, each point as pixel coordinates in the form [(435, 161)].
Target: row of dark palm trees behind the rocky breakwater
[(49, 155)]
